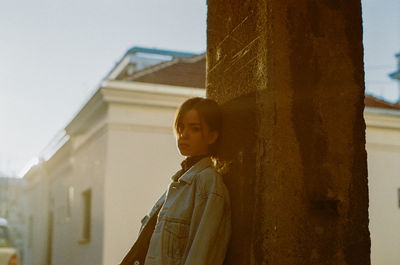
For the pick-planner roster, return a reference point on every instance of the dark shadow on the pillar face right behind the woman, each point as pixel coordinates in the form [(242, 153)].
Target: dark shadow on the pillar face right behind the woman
[(237, 150)]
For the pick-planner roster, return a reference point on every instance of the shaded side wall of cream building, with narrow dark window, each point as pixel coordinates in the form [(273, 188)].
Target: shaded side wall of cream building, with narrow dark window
[(78, 166)]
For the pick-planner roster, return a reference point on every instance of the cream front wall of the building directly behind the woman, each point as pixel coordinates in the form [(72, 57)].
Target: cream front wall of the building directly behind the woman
[(142, 157)]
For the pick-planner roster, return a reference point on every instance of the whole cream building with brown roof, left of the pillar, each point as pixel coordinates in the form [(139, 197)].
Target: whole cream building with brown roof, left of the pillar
[(103, 174)]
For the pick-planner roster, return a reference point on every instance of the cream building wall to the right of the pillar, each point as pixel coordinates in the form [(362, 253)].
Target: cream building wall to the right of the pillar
[(383, 147)]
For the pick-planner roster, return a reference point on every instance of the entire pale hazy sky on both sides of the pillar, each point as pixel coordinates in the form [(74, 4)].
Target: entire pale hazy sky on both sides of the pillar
[(53, 55)]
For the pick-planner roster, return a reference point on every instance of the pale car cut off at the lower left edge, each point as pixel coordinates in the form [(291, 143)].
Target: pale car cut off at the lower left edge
[(8, 252)]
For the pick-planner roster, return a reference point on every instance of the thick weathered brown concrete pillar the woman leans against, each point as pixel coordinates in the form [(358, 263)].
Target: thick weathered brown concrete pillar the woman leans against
[(289, 75)]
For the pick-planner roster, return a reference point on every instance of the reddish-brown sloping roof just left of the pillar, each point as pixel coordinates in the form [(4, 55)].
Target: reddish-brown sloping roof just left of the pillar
[(187, 72)]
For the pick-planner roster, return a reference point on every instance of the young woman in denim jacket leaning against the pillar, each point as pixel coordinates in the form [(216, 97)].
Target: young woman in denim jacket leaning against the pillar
[(190, 223)]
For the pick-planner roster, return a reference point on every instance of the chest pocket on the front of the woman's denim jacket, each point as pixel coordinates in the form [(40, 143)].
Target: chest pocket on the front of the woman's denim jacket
[(176, 236)]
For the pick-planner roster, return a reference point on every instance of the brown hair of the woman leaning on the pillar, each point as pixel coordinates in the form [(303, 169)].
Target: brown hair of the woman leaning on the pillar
[(208, 111)]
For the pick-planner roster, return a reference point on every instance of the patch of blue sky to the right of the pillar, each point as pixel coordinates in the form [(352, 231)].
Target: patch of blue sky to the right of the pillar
[(381, 43)]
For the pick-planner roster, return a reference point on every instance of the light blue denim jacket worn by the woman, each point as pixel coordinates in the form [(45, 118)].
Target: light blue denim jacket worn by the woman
[(194, 224)]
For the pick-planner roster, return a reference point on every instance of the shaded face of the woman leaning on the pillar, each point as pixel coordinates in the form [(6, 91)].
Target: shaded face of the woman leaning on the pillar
[(193, 136)]
